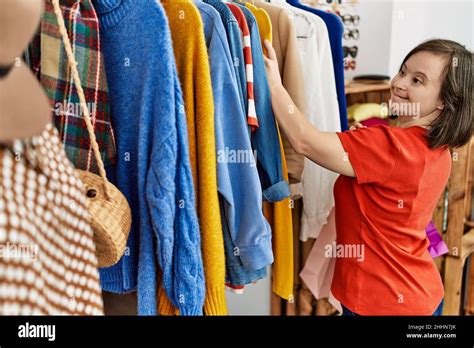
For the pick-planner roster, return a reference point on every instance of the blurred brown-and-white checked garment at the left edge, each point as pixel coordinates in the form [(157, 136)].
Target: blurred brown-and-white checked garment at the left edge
[(48, 264)]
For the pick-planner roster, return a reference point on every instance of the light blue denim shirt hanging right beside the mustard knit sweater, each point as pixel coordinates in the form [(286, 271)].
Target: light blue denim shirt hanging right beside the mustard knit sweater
[(240, 195)]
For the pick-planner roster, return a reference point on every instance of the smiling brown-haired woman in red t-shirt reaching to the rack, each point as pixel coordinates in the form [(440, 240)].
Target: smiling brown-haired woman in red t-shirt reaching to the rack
[(391, 179)]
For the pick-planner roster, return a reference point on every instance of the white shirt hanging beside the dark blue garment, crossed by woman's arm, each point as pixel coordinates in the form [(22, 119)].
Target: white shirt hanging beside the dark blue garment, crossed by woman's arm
[(322, 111)]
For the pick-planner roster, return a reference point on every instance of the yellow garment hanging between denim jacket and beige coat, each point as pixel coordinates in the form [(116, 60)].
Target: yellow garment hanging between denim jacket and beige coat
[(278, 214)]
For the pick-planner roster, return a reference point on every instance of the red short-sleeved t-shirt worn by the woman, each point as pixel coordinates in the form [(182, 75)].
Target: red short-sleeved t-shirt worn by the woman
[(383, 266)]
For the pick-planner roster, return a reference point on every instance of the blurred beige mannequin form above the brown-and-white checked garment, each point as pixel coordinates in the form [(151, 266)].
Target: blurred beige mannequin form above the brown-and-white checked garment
[(24, 107)]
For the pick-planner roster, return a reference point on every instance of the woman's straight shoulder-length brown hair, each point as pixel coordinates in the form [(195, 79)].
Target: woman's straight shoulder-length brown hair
[(455, 125)]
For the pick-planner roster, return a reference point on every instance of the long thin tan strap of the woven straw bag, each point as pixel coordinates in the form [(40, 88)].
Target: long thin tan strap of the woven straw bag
[(77, 81)]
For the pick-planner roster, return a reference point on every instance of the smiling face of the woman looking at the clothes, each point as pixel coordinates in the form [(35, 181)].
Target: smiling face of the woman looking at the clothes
[(415, 90)]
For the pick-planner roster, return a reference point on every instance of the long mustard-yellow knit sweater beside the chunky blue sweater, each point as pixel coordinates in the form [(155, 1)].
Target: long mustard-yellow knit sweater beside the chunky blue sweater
[(190, 51)]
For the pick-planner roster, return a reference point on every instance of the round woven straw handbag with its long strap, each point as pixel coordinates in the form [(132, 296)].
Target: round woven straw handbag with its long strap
[(110, 212)]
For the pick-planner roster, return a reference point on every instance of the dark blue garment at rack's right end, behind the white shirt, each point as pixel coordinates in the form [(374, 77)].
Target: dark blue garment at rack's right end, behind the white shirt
[(335, 30)]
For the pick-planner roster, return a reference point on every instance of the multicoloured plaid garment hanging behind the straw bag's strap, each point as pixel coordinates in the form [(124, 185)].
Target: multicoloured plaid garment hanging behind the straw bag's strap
[(49, 62)]
